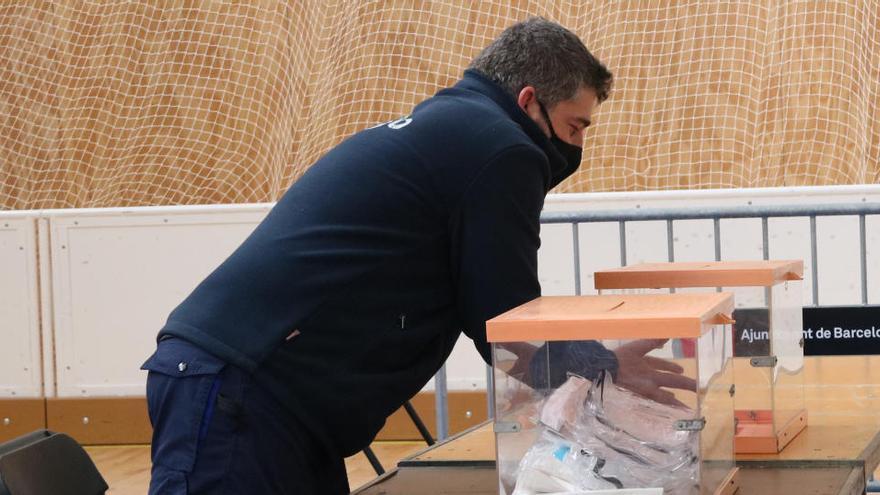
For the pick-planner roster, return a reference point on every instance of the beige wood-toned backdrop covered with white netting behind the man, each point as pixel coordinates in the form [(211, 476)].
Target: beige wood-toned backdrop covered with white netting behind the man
[(112, 103)]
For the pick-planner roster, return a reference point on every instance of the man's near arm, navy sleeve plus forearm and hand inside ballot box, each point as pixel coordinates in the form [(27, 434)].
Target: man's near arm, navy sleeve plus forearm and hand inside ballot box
[(496, 236)]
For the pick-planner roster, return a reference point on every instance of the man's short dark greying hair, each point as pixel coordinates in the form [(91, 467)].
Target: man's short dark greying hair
[(540, 53)]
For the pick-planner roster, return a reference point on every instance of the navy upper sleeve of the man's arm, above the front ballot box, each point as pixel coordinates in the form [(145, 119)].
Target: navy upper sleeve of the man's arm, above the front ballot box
[(495, 239)]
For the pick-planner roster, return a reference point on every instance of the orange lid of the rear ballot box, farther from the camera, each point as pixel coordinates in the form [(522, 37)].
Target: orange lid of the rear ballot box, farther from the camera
[(701, 274)]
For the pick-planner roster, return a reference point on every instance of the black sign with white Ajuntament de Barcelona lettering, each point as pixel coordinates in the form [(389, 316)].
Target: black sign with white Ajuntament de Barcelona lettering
[(828, 331)]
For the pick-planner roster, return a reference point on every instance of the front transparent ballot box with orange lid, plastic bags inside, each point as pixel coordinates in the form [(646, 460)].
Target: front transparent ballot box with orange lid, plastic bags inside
[(589, 396)]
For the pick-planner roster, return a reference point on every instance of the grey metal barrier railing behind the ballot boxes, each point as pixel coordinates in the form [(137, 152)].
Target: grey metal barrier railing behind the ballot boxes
[(671, 215)]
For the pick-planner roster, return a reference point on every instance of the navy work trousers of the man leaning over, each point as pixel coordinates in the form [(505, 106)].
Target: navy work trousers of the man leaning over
[(215, 431)]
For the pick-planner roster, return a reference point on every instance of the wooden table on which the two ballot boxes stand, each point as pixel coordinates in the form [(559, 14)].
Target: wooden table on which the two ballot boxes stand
[(835, 454)]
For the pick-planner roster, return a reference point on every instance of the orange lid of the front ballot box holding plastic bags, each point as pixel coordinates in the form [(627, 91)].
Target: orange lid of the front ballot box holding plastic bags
[(634, 316)]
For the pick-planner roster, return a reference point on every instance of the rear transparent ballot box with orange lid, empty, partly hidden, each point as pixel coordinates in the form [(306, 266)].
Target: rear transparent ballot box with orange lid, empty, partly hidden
[(768, 340)]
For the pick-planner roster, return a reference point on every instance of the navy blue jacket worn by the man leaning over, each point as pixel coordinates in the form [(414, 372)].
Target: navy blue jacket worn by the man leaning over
[(351, 293)]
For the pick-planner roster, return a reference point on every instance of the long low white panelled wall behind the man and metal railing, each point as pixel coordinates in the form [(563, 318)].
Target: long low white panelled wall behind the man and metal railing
[(116, 273)]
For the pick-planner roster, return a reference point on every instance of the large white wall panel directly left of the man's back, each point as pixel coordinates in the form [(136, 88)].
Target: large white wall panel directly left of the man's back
[(115, 279)]
